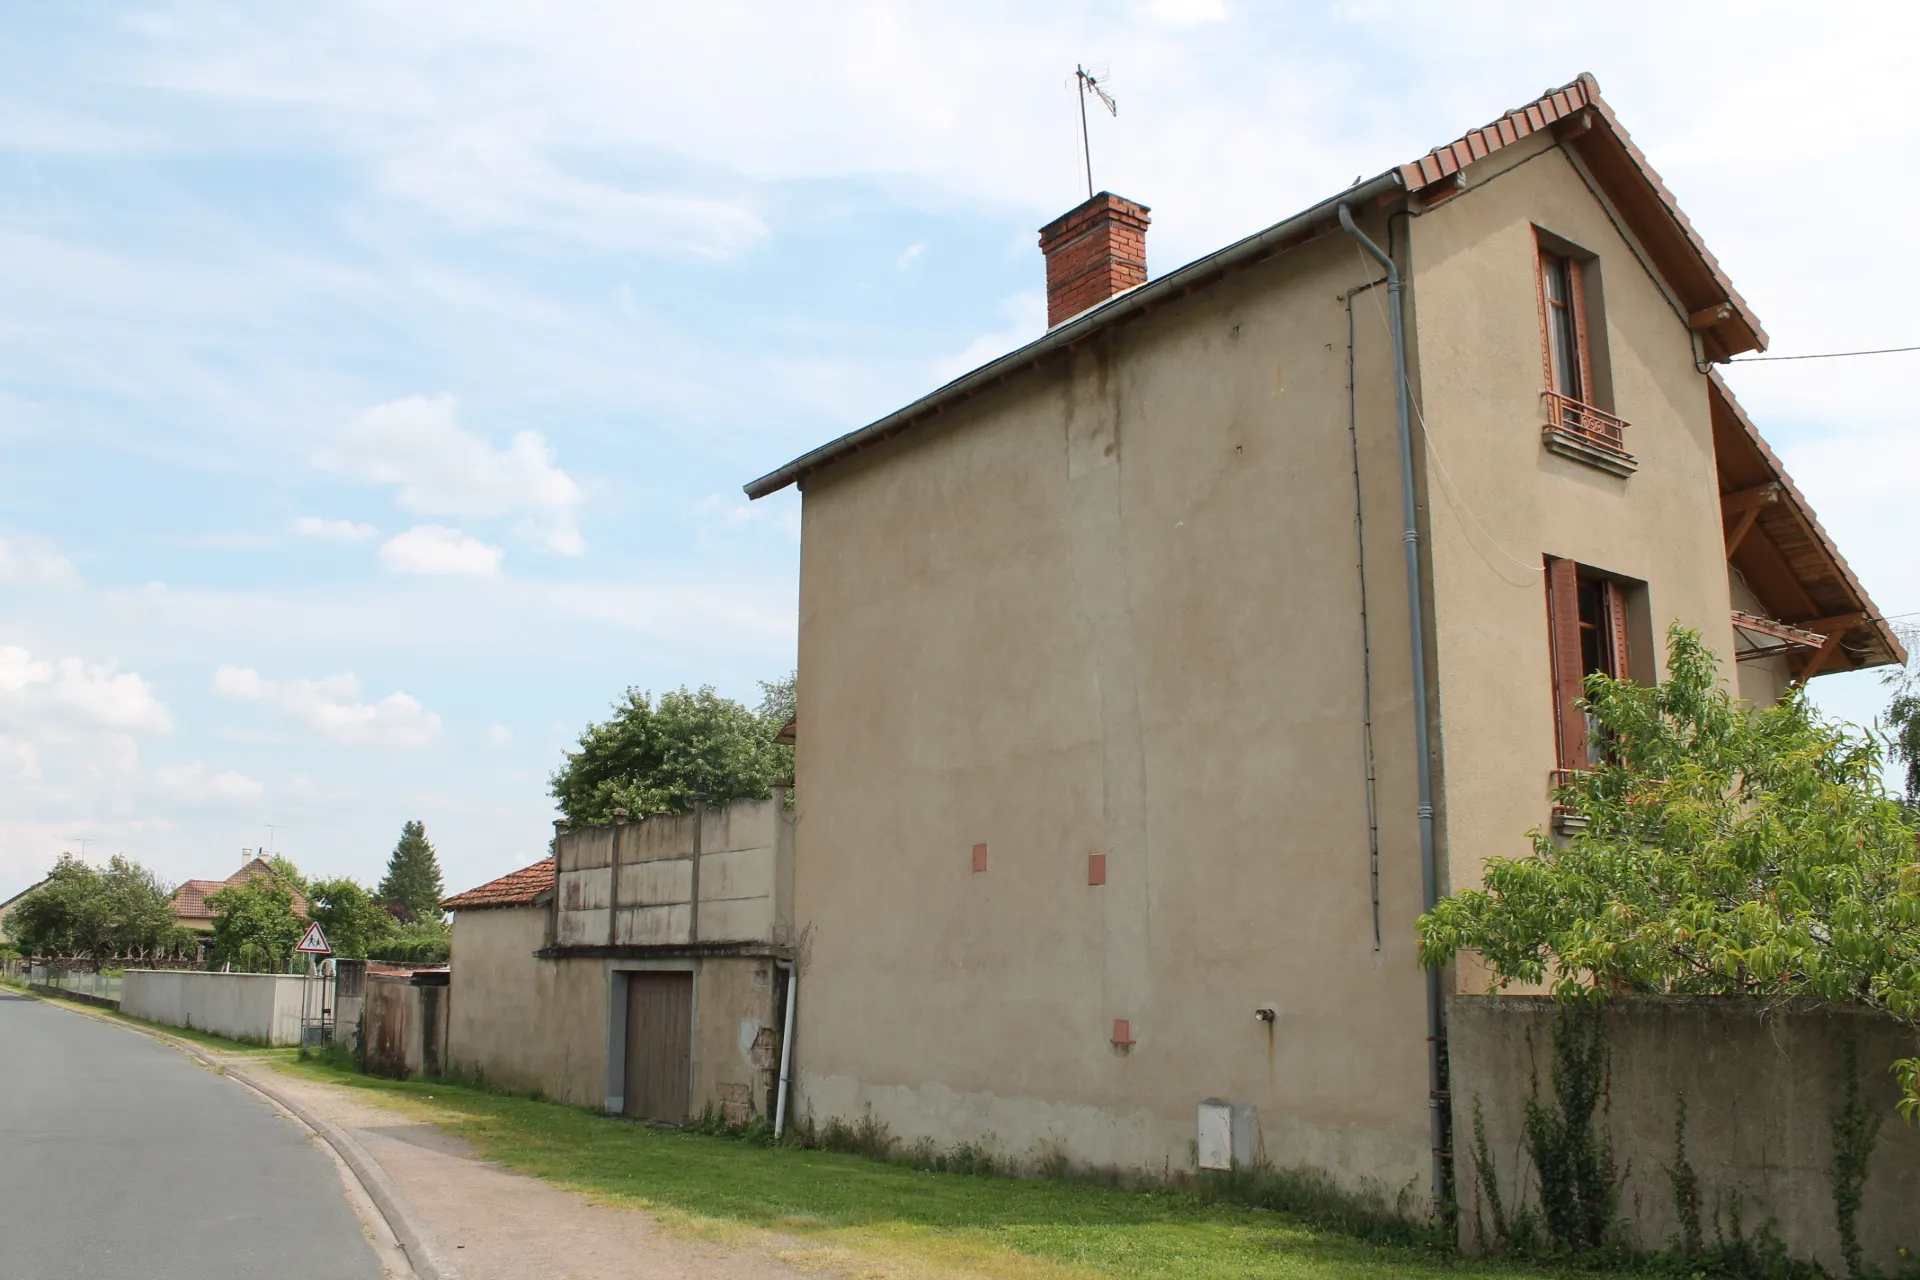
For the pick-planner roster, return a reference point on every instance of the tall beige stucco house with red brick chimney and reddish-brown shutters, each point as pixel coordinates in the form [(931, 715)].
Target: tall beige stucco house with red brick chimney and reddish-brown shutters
[(1159, 673)]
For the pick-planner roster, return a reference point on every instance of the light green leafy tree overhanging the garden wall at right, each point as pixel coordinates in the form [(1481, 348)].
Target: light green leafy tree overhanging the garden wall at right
[(1727, 853)]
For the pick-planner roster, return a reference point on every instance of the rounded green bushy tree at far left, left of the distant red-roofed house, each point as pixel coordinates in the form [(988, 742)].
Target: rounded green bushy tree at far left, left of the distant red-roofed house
[(95, 914)]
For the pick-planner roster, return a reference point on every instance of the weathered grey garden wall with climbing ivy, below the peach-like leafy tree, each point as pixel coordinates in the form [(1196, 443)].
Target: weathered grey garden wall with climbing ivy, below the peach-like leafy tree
[(1760, 1095)]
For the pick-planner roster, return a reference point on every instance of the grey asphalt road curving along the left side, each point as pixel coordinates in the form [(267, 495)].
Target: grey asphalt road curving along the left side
[(124, 1160)]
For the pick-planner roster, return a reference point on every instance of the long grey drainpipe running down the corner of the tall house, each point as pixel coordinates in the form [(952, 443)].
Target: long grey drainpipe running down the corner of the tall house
[(1437, 1099)]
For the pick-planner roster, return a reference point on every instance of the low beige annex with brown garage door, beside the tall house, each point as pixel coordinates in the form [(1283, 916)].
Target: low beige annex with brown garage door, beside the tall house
[(644, 968)]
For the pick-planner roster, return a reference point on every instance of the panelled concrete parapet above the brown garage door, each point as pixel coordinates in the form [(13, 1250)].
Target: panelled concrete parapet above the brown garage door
[(744, 878)]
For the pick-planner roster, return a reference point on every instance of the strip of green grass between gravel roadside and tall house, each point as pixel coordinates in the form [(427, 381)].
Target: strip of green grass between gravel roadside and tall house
[(890, 1214)]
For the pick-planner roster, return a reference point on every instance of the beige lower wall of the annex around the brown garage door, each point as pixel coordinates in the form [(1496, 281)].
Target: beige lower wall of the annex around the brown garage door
[(558, 1026)]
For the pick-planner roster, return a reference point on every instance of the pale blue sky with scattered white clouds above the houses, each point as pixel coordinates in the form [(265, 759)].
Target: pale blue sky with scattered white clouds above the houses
[(377, 381)]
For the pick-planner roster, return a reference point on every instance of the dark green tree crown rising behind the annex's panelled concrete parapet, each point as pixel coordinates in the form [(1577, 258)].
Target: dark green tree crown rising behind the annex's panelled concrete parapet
[(661, 757)]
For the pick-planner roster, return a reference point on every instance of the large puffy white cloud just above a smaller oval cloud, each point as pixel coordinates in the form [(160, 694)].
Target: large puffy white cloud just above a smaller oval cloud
[(446, 471)]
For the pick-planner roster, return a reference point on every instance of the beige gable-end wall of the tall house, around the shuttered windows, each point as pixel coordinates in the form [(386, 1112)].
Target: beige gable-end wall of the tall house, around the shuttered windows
[(1504, 502)]
